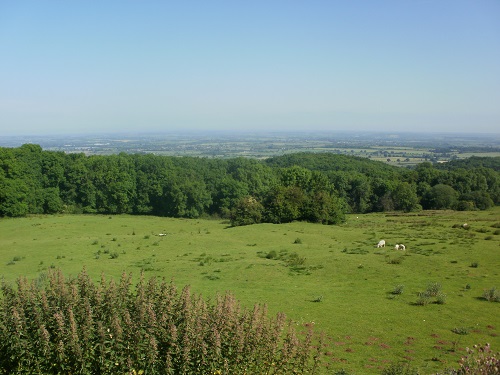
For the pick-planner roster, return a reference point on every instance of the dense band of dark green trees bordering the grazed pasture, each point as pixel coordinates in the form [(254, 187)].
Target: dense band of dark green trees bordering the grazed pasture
[(304, 186)]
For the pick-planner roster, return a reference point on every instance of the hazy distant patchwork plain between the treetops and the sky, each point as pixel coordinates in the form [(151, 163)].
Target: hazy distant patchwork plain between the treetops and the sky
[(416, 147)]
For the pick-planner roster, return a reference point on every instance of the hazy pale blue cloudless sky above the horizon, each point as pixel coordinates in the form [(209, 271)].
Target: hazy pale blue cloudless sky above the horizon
[(87, 66)]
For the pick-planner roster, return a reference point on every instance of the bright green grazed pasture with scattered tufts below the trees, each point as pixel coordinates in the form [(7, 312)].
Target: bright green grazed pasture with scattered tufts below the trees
[(333, 276)]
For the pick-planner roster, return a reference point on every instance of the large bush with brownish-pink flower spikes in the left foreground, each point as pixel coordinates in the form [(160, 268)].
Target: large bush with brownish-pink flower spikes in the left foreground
[(55, 326)]
